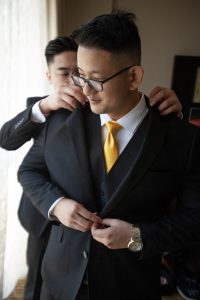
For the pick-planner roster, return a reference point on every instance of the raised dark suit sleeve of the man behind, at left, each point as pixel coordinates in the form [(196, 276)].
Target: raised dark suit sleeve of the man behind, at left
[(20, 129)]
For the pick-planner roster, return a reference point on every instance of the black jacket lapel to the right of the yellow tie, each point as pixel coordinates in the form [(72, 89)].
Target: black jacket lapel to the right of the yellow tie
[(135, 160)]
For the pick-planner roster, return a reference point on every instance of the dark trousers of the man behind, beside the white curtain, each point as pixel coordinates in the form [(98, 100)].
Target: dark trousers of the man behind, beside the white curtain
[(35, 251)]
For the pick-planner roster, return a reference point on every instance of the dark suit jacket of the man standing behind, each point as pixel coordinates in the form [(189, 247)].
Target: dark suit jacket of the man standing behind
[(13, 135)]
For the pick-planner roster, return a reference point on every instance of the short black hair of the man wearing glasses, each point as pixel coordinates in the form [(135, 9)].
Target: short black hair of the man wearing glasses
[(115, 32)]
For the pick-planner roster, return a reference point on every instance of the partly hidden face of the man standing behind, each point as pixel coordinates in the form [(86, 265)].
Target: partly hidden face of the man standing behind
[(61, 68)]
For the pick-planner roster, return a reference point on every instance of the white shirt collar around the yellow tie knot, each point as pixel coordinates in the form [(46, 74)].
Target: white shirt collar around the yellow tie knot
[(130, 120)]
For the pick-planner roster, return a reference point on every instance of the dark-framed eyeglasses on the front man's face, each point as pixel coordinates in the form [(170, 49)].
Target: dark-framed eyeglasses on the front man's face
[(96, 85)]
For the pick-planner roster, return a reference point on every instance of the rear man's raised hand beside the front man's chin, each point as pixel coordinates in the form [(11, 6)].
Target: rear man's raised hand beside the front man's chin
[(65, 96)]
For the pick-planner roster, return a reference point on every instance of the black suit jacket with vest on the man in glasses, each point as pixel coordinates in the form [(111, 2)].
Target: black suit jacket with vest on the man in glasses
[(160, 162)]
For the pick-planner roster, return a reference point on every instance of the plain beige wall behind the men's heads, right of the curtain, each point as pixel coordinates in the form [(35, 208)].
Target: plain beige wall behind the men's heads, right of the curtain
[(167, 28)]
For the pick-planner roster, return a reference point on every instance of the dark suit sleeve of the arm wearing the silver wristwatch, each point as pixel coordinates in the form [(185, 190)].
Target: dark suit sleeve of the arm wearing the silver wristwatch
[(180, 228)]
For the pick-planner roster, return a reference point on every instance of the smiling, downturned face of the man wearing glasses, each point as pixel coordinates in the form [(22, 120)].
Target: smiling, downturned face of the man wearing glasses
[(117, 97)]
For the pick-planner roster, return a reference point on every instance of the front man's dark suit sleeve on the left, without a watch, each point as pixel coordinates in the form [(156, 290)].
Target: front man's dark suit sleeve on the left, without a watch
[(35, 179)]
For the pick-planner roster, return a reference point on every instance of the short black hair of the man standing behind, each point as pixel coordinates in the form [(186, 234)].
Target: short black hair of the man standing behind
[(59, 45)]
